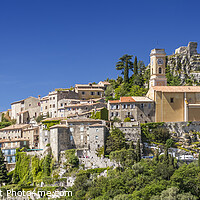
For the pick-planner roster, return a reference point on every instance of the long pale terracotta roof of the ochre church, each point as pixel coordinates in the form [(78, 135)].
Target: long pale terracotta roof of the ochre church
[(177, 88)]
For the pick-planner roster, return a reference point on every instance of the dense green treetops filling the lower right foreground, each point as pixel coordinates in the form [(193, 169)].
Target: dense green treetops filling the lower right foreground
[(147, 179)]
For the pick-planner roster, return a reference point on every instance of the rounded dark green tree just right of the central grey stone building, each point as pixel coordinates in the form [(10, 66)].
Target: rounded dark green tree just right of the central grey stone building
[(116, 140)]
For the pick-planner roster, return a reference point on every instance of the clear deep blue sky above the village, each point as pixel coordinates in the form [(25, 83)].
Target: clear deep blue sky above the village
[(48, 44)]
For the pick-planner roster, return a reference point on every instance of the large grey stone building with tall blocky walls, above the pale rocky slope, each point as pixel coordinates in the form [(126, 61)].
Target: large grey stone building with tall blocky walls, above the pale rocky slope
[(74, 134)]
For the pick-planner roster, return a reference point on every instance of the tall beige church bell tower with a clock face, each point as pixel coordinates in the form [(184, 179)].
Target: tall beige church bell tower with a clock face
[(157, 69)]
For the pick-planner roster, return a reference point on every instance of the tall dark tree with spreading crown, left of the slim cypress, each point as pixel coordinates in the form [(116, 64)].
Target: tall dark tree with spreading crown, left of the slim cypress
[(125, 64)]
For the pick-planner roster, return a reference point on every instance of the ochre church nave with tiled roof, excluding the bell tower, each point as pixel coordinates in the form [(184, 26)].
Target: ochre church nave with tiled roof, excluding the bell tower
[(176, 103)]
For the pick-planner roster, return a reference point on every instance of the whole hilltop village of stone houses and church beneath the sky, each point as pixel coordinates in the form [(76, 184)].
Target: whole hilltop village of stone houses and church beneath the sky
[(81, 118)]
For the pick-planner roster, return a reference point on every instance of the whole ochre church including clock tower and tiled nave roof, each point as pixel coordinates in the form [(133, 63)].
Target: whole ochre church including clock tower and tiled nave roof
[(172, 103)]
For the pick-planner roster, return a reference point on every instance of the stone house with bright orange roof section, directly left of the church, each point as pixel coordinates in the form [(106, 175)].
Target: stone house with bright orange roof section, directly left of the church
[(140, 109)]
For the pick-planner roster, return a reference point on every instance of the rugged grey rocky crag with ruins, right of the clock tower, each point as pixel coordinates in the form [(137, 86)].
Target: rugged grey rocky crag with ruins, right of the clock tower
[(185, 64)]
